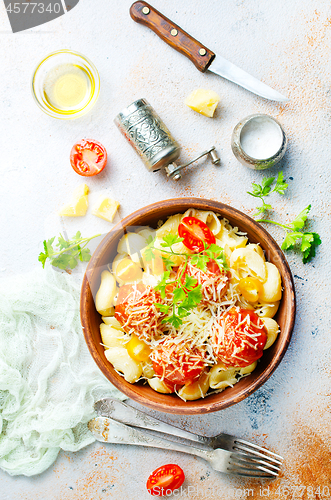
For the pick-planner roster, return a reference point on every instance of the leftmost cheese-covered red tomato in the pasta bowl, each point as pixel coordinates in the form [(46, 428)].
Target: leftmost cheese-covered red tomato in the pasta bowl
[(136, 311)]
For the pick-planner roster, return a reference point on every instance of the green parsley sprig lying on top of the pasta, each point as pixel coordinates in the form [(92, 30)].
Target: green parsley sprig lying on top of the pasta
[(186, 292)]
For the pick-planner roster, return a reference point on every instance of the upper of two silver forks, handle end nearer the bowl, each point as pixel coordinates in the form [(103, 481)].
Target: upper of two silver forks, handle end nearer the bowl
[(109, 407)]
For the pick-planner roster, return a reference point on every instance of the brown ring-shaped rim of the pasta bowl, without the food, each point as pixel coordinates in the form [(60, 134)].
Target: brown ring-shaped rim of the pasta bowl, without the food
[(201, 405)]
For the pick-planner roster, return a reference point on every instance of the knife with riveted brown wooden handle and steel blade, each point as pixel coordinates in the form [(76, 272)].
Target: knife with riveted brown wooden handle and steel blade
[(203, 58)]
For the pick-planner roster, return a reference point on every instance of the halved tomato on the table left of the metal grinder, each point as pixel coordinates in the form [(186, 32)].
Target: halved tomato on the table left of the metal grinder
[(88, 157)]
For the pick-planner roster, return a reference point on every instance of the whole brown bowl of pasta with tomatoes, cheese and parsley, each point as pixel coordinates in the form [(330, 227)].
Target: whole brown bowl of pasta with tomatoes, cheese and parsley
[(187, 306)]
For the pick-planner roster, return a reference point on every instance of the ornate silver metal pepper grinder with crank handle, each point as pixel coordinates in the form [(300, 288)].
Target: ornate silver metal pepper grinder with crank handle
[(149, 136)]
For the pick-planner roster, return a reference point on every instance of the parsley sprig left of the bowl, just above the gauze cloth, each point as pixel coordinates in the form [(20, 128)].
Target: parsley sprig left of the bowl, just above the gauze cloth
[(65, 254)]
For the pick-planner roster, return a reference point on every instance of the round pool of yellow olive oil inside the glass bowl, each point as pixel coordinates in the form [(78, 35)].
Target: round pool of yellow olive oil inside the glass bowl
[(67, 87)]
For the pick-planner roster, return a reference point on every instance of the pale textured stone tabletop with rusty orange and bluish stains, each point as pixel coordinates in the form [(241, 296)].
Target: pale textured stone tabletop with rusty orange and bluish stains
[(286, 45)]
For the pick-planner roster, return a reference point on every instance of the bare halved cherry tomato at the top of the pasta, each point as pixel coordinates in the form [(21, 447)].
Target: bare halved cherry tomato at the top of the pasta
[(195, 234)]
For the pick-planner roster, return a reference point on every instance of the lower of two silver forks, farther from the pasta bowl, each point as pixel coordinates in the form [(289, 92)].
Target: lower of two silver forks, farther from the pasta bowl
[(108, 430)]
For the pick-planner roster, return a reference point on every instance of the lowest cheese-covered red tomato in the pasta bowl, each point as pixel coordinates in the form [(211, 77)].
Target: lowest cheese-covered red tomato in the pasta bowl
[(177, 364)]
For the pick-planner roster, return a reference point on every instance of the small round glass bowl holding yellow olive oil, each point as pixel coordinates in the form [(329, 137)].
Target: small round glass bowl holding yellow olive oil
[(65, 84)]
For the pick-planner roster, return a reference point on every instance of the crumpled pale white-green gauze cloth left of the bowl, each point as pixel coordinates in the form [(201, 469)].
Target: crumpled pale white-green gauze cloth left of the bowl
[(48, 379)]
